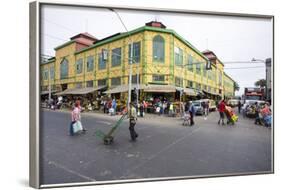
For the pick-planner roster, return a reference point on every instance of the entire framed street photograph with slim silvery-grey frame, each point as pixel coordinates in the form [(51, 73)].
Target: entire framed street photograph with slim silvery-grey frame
[(135, 94)]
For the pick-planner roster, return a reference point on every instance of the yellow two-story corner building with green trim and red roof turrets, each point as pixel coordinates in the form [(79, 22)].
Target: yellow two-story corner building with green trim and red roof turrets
[(163, 63)]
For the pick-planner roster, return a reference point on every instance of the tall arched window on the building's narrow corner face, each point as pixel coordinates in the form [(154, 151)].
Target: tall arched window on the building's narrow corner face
[(158, 48)]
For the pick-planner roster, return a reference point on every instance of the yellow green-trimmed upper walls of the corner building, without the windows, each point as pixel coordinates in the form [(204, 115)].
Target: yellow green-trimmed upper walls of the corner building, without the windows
[(147, 66)]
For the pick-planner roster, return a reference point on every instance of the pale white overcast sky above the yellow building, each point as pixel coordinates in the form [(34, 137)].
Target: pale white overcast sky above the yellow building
[(232, 39)]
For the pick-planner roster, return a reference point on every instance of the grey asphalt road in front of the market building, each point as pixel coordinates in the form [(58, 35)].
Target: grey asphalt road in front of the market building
[(164, 148)]
